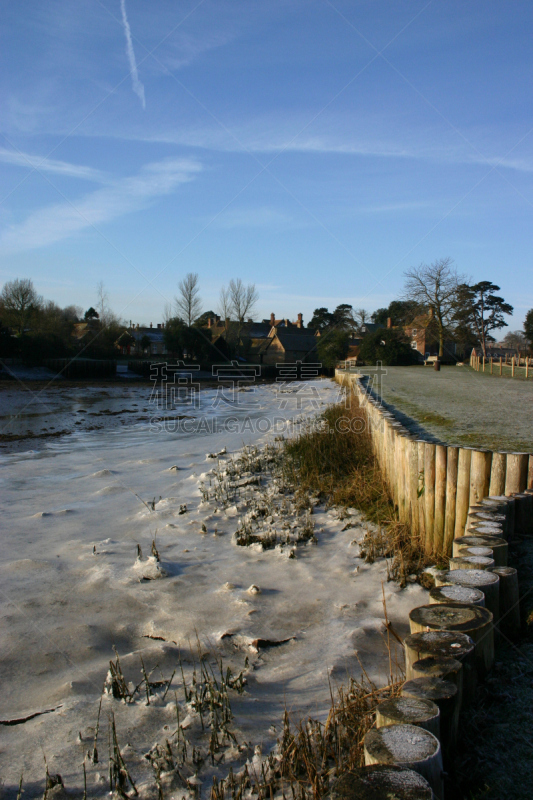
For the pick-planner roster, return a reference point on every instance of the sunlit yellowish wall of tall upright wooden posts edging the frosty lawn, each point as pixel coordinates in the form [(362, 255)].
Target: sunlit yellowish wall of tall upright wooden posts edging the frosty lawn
[(433, 485)]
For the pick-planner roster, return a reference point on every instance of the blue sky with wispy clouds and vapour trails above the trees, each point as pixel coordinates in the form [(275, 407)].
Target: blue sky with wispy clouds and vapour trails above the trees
[(315, 148)]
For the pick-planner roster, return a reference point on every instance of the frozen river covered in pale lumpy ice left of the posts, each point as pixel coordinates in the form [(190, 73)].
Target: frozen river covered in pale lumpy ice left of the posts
[(71, 587)]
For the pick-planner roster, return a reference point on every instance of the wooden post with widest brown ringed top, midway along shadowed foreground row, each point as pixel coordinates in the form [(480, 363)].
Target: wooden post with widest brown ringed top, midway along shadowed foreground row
[(475, 621)]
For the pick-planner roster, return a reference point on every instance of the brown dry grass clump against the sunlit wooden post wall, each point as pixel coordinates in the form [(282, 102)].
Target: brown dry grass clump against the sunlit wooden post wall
[(335, 460)]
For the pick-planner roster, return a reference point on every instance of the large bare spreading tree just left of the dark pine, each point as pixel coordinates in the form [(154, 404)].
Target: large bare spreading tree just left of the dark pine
[(434, 286)]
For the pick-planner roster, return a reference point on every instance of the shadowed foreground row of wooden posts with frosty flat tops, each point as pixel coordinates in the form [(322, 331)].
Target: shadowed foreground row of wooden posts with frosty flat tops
[(450, 649)]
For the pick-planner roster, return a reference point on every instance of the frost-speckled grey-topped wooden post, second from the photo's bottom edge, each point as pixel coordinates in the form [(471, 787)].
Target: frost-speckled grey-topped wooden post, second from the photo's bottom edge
[(407, 746)]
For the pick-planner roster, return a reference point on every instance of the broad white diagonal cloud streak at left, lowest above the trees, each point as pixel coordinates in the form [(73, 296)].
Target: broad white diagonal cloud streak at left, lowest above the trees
[(57, 222)]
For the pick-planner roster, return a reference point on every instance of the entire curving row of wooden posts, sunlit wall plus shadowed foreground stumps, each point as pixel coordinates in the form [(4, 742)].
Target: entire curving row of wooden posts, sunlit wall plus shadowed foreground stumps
[(447, 495)]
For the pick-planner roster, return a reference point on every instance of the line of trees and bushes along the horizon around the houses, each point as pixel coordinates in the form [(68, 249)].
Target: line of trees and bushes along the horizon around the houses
[(463, 312)]
